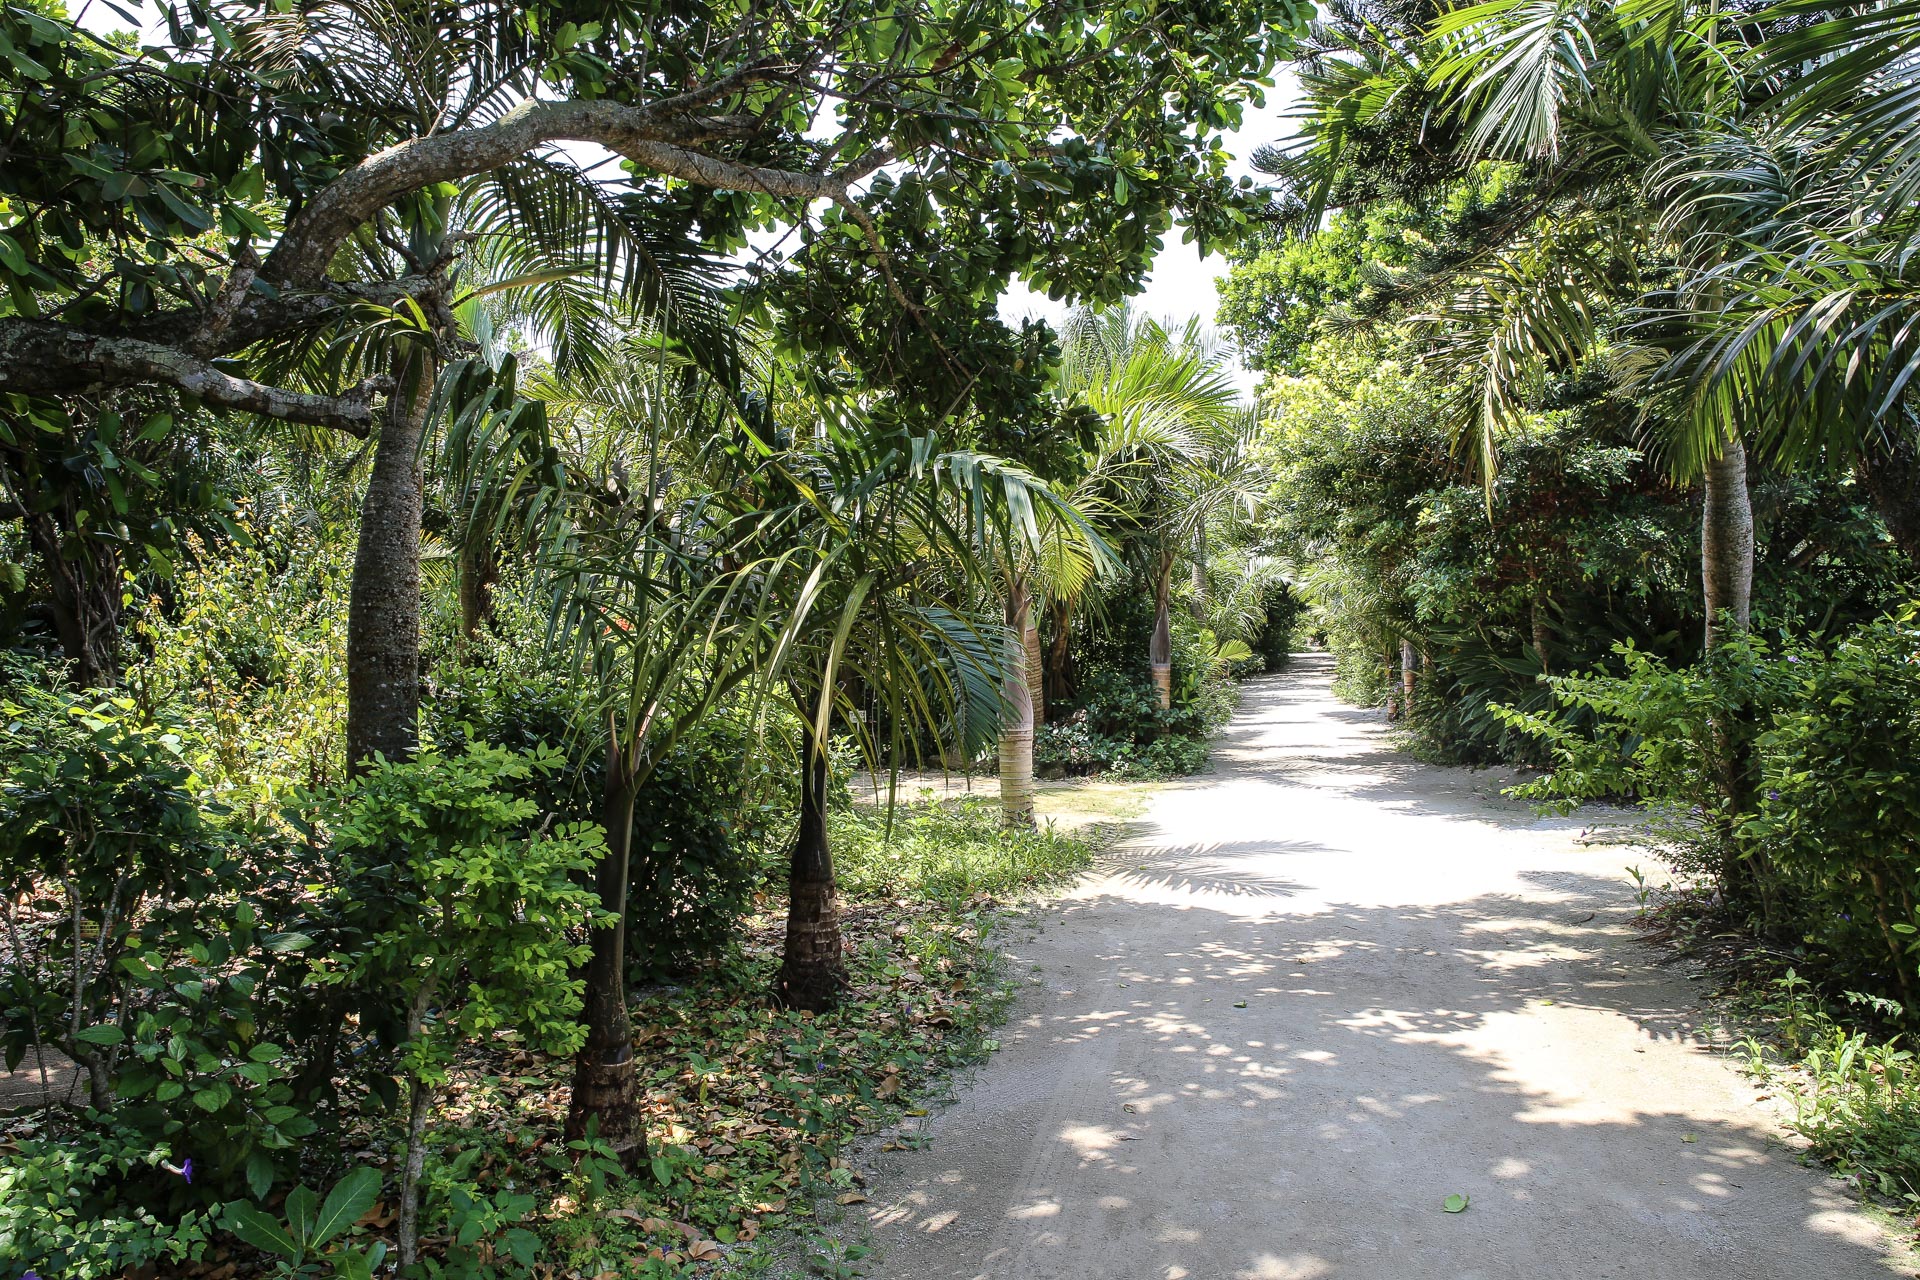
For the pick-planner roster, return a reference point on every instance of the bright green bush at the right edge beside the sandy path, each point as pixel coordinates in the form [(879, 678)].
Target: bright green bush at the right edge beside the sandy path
[(1785, 778)]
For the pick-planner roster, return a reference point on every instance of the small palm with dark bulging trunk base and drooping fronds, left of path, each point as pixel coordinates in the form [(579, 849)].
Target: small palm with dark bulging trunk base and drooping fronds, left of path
[(892, 533)]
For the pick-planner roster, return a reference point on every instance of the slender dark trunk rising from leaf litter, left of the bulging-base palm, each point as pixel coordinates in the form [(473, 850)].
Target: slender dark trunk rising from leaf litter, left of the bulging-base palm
[(604, 1072)]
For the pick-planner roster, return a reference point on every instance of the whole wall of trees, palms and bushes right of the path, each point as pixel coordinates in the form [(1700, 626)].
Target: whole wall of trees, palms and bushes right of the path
[(1589, 350)]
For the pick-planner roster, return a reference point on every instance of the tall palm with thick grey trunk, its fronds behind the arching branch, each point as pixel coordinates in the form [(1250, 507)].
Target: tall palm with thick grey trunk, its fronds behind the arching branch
[(558, 254)]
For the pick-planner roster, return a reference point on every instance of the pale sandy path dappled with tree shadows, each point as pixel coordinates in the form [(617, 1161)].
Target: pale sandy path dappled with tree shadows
[(1328, 991)]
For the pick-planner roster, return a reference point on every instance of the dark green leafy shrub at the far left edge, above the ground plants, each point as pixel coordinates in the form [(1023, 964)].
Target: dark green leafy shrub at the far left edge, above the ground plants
[(139, 947)]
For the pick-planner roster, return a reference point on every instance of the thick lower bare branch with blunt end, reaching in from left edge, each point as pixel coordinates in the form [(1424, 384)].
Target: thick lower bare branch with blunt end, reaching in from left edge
[(41, 358)]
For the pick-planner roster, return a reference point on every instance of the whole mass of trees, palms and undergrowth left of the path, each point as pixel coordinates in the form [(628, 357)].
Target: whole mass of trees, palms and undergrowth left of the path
[(475, 483)]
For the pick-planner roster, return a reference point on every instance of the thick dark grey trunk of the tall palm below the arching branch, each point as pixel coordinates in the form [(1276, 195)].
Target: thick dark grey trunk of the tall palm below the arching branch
[(385, 602)]
